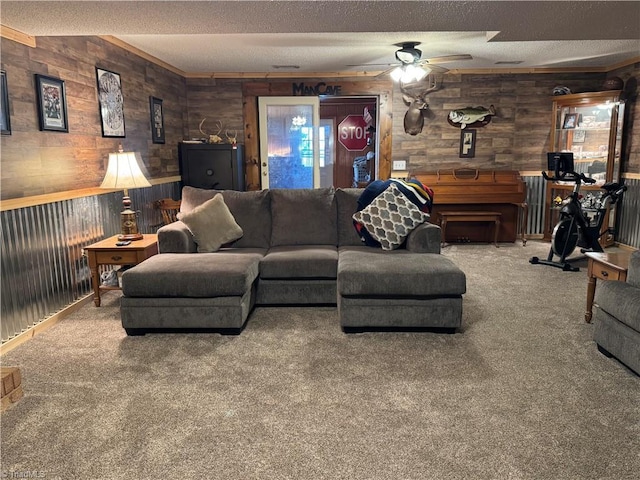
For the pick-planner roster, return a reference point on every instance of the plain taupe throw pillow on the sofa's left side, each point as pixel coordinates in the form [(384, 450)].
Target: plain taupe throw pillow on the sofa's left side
[(211, 224)]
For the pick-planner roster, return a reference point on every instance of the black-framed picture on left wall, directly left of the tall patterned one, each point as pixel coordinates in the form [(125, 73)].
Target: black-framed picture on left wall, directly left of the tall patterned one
[(52, 104)]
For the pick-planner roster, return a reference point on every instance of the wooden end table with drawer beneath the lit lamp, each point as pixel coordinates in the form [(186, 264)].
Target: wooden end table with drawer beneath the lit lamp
[(106, 252)]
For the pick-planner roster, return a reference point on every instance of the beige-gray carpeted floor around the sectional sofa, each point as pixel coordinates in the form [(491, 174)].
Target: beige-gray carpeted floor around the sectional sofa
[(521, 392)]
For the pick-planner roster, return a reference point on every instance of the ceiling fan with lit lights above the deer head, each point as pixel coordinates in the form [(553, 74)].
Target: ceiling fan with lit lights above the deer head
[(412, 66)]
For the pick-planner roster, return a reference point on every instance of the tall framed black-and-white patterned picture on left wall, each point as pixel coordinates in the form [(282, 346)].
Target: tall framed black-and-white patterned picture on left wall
[(111, 103)]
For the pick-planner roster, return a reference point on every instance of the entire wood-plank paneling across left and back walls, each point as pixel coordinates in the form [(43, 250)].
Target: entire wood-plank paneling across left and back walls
[(35, 162)]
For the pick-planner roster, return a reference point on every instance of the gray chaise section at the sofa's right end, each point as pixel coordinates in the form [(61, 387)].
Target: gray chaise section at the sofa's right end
[(398, 289)]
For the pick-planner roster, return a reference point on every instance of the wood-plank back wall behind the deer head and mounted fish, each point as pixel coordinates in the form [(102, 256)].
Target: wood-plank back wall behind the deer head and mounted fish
[(517, 138)]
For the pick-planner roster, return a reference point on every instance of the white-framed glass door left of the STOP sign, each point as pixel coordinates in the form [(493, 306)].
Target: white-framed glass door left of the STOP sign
[(289, 142)]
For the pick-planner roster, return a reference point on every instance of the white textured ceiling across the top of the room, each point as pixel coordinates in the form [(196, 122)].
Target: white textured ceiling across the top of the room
[(342, 36)]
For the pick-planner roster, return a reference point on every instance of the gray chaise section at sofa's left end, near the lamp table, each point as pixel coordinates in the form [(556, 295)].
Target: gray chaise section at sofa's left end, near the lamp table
[(173, 291)]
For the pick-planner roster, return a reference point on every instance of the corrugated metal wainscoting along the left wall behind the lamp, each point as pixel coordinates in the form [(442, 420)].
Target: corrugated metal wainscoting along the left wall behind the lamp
[(43, 269)]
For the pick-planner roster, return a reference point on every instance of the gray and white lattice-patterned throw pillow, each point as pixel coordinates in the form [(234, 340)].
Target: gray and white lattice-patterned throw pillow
[(390, 217)]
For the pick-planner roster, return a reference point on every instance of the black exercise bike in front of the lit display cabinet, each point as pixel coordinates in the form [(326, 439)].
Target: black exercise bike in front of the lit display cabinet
[(575, 227)]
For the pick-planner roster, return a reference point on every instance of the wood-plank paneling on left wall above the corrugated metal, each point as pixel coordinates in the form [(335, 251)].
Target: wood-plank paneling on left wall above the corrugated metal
[(38, 162)]
